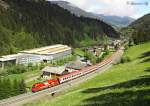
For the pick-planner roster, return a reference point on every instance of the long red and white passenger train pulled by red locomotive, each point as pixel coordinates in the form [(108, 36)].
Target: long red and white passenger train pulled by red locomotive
[(53, 82)]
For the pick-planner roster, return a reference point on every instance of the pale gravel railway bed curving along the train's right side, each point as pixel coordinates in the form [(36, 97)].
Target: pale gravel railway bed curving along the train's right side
[(57, 90)]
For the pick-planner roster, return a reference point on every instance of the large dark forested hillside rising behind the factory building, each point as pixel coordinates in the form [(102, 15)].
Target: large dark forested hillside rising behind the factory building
[(28, 24)]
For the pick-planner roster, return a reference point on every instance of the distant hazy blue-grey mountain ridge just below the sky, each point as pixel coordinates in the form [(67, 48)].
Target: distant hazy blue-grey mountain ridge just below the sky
[(116, 21)]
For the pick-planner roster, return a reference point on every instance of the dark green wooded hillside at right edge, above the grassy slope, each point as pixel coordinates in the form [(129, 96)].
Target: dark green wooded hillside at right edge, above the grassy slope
[(139, 29)]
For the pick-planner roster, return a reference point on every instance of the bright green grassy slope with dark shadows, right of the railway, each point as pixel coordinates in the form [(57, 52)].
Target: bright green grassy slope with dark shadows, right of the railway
[(125, 84)]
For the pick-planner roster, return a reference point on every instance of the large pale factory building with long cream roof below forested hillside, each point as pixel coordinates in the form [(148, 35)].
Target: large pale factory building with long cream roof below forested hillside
[(43, 54)]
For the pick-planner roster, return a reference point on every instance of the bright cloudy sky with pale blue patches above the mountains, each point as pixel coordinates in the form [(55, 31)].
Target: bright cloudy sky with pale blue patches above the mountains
[(113, 7)]
